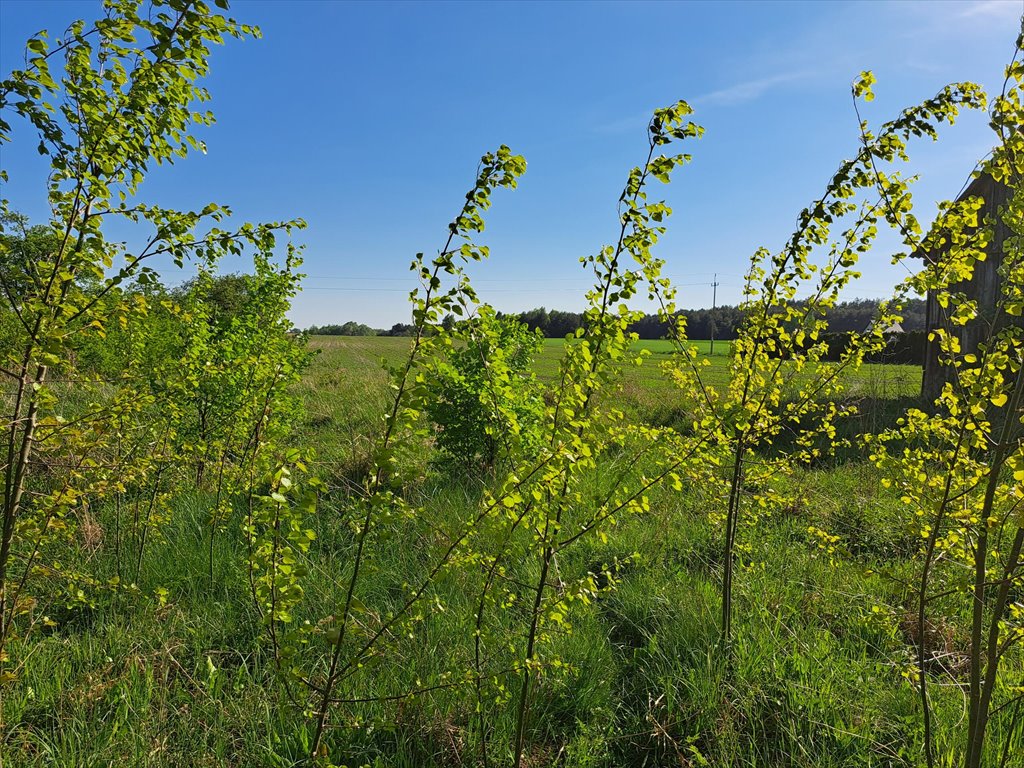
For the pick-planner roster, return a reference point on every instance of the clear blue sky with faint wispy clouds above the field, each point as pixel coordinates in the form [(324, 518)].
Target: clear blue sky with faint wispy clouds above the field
[(368, 120)]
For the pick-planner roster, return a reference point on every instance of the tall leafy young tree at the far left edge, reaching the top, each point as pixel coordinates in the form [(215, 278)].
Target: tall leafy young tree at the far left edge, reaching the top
[(125, 98)]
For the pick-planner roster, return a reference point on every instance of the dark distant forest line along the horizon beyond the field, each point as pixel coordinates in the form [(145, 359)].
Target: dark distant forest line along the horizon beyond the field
[(720, 323)]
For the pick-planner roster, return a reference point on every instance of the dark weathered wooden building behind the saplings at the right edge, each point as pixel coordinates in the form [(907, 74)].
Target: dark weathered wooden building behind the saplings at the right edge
[(984, 287)]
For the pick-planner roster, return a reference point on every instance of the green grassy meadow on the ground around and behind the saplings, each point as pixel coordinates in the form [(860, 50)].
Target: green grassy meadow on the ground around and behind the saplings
[(824, 636)]
